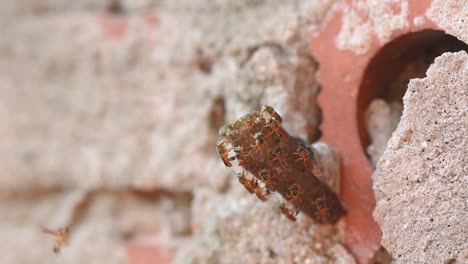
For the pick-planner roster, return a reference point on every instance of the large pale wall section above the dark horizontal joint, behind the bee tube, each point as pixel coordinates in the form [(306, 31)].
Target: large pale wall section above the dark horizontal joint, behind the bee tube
[(111, 109)]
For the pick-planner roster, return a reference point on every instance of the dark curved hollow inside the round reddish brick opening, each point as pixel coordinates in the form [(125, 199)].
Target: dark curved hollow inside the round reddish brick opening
[(388, 73)]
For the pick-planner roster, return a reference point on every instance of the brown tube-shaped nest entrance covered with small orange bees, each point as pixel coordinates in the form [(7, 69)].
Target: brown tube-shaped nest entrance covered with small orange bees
[(267, 160)]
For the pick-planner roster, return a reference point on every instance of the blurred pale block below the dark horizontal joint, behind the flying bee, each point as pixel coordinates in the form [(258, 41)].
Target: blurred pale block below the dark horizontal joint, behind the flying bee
[(102, 226)]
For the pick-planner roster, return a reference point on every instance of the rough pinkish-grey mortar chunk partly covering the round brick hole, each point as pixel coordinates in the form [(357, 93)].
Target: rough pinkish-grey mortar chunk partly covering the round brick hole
[(421, 181)]
